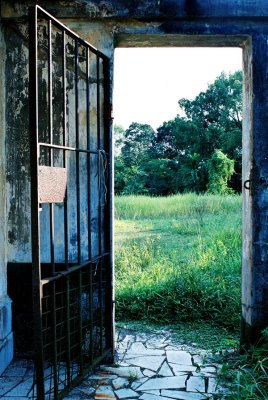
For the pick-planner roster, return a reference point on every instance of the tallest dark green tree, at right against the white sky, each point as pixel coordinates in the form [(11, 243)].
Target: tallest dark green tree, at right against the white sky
[(217, 113)]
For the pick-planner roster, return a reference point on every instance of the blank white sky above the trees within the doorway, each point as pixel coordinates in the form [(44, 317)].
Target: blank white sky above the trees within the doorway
[(148, 82)]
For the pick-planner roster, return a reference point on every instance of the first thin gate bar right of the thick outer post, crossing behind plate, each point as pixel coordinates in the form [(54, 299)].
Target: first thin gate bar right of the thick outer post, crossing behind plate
[(50, 95)]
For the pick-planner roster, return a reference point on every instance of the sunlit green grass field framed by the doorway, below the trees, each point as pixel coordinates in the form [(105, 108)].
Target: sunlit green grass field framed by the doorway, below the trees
[(178, 258)]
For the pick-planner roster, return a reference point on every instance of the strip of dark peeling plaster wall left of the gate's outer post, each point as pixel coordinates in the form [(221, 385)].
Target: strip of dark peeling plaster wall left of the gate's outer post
[(17, 143)]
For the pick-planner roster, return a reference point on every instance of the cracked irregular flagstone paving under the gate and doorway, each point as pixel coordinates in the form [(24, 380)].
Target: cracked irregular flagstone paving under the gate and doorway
[(149, 366)]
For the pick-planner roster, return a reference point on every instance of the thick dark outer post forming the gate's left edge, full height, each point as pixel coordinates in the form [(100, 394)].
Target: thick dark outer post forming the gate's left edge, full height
[(36, 269)]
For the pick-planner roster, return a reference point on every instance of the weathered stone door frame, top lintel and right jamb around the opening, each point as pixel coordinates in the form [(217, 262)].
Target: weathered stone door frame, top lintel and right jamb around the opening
[(145, 40)]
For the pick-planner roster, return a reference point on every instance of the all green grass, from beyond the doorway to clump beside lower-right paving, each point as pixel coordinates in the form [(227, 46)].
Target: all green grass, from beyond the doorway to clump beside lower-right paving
[(178, 266)]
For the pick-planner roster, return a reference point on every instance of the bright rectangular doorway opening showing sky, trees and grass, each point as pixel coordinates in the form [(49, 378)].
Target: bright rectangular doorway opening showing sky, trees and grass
[(178, 174)]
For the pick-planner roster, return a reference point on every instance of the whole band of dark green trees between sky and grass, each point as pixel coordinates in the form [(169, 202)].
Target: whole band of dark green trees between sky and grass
[(199, 150)]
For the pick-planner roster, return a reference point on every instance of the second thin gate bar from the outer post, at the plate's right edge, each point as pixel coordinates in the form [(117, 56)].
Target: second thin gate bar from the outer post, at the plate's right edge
[(64, 89)]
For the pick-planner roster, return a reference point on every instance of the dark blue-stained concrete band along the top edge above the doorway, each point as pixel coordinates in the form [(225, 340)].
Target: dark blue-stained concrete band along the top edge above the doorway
[(144, 9)]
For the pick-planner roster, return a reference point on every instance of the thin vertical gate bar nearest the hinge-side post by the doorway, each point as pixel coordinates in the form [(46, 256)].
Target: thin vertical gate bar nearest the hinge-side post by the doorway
[(100, 184)]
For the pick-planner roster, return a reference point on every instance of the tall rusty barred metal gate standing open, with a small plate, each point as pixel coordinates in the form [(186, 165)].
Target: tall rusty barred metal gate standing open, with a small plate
[(70, 155)]
